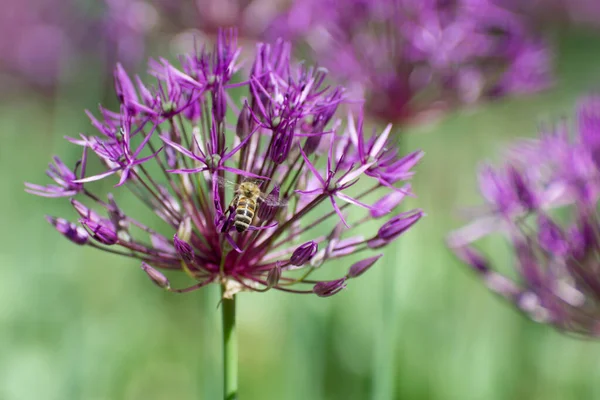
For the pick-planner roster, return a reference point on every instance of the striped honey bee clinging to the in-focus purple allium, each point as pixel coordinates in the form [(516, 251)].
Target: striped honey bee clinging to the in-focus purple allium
[(248, 197)]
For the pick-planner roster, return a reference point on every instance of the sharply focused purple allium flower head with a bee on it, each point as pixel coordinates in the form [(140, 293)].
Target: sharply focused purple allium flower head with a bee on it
[(243, 188)]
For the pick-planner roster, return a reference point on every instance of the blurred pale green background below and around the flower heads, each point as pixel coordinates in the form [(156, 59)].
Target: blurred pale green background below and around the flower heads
[(79, 324)]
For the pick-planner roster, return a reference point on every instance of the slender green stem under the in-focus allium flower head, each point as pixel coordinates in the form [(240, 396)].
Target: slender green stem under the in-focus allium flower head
[(230, 358)]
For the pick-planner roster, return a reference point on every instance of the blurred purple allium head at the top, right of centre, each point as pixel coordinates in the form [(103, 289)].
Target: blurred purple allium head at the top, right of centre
[(411, 56)]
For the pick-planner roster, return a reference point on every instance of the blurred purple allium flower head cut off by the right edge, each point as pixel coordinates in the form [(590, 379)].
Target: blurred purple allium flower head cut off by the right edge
[(544, 200)]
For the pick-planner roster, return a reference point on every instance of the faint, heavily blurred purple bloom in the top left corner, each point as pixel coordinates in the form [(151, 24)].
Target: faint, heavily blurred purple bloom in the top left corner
[(42, 42)]
